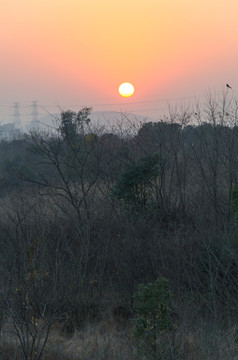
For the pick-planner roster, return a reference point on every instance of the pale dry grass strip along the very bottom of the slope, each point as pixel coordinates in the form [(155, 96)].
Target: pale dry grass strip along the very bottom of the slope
[(108, 340)]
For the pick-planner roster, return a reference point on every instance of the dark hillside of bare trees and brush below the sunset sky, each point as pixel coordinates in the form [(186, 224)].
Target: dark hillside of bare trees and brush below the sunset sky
[(87, 217)]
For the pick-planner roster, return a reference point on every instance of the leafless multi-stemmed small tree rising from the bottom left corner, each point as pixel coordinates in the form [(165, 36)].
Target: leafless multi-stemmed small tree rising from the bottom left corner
[(38, 279)]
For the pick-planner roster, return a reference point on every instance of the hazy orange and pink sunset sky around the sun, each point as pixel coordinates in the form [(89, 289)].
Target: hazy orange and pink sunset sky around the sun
[(77, 52)]
